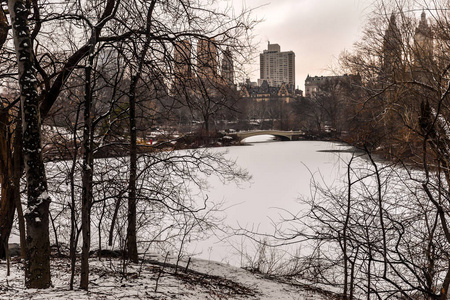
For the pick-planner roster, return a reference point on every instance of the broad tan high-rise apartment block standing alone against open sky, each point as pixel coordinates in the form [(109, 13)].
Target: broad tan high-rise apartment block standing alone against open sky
[(277, 67)]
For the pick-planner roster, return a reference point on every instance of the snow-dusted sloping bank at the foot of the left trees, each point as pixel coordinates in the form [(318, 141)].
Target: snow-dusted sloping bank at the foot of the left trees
[(109, 280)]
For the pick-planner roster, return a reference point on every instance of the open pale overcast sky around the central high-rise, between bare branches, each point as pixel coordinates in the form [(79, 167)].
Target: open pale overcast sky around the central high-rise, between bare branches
[(316, 30)]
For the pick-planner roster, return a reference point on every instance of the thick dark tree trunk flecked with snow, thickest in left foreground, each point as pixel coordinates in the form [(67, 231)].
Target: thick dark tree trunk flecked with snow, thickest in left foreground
[(37, 270)]
